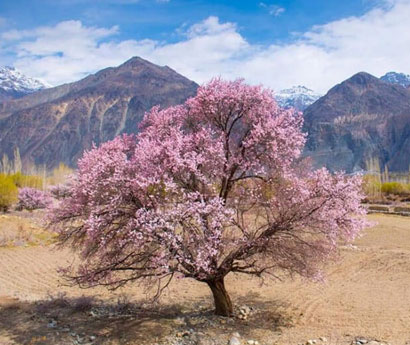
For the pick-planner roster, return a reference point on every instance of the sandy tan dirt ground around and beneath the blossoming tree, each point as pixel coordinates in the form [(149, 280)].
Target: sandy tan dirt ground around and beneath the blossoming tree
[(367, 293)]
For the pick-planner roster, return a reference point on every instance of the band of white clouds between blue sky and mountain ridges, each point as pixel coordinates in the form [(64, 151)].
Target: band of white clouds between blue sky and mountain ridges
[(377, 42)]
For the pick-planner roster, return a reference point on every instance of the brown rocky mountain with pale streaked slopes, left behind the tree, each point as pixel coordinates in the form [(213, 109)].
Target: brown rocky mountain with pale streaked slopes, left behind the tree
[(57, 124)]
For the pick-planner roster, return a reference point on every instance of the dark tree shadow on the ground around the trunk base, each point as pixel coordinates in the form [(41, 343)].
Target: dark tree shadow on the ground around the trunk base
[(86, 320)]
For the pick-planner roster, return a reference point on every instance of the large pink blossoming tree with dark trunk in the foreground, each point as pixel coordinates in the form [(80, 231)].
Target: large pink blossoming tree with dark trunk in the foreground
[(207, 188)]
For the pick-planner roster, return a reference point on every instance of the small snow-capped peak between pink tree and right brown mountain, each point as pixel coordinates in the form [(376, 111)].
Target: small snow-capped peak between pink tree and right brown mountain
[(298, 97)]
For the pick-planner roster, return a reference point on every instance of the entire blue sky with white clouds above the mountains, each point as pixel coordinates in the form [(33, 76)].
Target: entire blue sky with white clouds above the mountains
[(316, 43)]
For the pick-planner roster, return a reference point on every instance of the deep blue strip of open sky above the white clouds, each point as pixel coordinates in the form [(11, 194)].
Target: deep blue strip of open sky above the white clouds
[(259, 21)]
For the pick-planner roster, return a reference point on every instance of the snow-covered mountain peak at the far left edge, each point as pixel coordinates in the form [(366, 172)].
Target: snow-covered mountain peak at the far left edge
[(14, 84)]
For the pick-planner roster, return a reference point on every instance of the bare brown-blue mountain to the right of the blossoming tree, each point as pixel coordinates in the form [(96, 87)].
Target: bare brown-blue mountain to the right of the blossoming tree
[(361, 118)]
